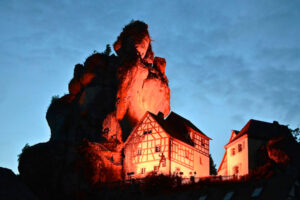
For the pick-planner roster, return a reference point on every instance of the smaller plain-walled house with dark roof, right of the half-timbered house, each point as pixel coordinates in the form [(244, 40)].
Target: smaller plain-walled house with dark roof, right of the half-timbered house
[(242, 152)]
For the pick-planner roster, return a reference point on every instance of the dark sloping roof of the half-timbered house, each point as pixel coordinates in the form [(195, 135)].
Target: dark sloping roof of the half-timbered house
[(177, 127)]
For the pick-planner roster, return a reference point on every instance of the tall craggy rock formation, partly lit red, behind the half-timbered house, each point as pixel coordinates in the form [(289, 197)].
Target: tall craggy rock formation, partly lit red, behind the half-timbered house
[(108, 95)]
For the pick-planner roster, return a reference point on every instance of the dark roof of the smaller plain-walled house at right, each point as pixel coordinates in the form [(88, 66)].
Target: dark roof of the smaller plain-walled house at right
[(262, 130)]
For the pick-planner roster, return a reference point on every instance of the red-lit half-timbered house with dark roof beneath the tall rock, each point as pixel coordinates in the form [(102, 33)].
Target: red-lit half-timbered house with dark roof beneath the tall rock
[(170, 146)]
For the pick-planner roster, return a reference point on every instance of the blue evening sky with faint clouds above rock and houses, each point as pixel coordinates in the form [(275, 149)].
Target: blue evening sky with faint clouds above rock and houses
[(227, 61)]
